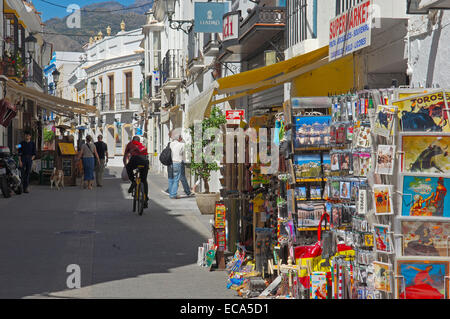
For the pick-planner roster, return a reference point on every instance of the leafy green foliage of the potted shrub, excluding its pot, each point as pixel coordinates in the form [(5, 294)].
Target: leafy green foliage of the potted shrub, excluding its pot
[(203, 167)]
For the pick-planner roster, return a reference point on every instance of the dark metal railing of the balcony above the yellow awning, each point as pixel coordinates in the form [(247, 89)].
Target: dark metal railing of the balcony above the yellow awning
[(264, 16)]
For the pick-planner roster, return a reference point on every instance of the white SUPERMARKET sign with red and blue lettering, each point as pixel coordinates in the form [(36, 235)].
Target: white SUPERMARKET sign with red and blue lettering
[(350, 31)]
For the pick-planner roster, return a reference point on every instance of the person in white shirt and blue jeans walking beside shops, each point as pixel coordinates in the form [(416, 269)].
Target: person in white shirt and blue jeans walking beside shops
[(178, 169)]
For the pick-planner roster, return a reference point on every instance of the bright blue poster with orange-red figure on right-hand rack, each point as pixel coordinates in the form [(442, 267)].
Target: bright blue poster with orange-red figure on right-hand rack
[(425, 196)]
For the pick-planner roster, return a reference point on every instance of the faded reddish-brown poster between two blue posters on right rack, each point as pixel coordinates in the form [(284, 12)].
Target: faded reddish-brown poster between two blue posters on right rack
[(423, 238)]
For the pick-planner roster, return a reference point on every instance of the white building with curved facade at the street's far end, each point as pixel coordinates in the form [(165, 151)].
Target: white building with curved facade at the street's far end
[(110, 78)]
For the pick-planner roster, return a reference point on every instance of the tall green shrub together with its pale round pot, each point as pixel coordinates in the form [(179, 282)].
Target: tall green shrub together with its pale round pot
[(203, 166)]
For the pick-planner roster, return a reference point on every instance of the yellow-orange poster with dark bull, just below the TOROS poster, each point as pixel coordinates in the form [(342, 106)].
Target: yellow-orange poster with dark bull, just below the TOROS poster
[(425, 154)]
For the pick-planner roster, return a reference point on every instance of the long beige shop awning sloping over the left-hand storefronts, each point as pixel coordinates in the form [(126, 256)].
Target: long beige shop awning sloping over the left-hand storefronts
[(52, 103)]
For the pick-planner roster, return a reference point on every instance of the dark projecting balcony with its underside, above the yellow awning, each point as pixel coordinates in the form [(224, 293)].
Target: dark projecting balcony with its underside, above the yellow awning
[(261, 25)]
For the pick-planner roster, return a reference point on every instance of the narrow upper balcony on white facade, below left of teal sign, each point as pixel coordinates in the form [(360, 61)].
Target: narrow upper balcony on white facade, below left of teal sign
[(171, 74)]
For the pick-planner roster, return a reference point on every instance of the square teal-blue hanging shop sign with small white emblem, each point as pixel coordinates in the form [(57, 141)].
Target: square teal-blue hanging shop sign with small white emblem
[(208, 17)]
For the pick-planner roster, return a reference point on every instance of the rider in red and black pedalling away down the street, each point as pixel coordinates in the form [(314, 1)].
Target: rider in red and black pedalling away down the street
[(138, 156)]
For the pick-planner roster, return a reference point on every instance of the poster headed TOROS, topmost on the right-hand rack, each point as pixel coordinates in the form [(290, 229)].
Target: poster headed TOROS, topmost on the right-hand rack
[(424, 113)]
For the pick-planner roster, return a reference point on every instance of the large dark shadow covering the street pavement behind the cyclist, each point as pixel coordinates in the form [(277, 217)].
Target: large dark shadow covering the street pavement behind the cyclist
[(34, 256)]
